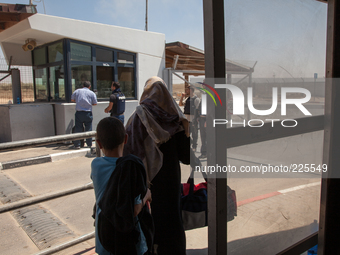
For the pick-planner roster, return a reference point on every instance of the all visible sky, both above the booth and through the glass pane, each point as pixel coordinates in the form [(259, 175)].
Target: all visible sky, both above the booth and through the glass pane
[(285, 38)]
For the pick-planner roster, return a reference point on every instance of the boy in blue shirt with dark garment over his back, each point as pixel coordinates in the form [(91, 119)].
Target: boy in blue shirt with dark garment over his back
[(121, 193)]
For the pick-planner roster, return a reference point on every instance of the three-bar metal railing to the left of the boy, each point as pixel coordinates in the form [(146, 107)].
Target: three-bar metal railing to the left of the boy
[(19, 145)]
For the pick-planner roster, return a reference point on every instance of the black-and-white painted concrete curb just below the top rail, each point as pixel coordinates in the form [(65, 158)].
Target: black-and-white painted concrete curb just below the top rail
[(44, 159)]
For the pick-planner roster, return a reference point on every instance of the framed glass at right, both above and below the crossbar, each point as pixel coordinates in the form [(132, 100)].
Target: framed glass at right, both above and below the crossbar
[(275, 59)]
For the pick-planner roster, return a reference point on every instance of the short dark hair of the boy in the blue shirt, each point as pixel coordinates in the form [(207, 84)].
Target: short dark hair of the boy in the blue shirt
[(110, 132)]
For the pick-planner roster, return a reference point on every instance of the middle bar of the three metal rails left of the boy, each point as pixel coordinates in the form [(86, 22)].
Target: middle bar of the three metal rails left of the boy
[(42, 198)]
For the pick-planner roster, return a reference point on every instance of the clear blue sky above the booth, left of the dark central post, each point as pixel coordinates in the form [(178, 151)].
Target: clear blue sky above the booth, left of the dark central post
[(178, 20)]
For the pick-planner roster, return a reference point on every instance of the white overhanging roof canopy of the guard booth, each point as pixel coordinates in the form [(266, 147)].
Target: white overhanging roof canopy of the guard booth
[(45, 28)]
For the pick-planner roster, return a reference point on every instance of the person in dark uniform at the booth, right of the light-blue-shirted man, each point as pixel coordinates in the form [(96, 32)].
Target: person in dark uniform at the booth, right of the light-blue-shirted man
[(117, 102)]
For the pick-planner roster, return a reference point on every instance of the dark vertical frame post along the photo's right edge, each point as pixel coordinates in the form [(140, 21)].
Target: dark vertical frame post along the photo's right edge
[(329, 226)]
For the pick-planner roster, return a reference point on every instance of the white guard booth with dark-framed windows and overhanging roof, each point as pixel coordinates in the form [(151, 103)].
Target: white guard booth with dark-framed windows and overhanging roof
[(64, 53)]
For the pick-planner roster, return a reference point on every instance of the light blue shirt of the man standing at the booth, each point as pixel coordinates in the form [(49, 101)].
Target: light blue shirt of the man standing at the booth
[(84, 98)]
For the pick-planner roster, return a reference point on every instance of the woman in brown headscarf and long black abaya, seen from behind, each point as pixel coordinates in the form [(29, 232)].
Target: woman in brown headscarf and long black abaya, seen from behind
[(159, 135)]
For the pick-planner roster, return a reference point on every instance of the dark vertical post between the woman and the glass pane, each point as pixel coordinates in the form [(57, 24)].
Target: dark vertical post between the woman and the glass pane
[(215, 66)]
